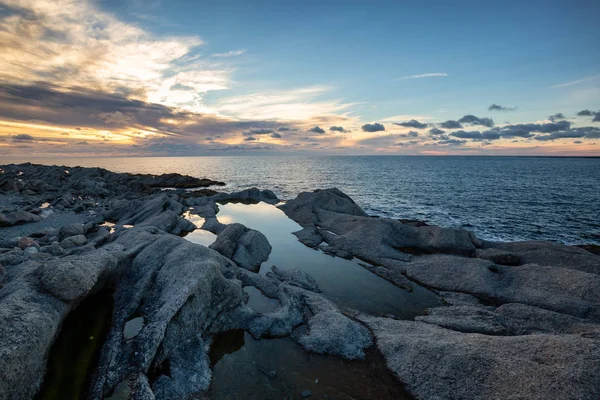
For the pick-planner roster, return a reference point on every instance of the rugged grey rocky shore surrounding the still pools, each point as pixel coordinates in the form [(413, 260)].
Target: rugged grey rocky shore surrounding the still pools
[(517, 320)]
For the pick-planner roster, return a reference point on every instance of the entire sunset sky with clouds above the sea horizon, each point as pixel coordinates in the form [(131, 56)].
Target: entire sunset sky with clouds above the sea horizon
[(186, 78)]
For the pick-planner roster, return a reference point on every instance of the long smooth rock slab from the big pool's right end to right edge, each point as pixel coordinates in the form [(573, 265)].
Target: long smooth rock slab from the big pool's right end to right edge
[(557, 289)]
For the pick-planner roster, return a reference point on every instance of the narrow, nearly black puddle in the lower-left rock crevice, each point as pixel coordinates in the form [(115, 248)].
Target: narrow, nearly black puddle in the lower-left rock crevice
[(74, 354)]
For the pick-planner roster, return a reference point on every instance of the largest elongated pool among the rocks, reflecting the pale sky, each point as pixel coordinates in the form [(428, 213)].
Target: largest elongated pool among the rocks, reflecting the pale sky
[(343, 281)]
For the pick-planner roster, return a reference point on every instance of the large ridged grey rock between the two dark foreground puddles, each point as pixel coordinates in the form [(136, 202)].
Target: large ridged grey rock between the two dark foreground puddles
[(179, 290)]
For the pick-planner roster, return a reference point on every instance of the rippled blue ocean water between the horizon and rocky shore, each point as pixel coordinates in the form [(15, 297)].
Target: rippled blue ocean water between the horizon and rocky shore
[(498, 198)]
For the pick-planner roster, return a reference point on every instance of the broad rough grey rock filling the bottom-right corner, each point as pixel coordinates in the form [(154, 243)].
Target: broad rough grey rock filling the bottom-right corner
[(437, 363)]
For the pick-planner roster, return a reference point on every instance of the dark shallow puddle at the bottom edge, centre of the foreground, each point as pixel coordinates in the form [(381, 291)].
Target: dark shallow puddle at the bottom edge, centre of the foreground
[(245, 368)]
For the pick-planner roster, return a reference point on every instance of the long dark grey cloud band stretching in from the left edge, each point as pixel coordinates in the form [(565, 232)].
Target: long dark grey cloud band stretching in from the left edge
[(73, 106)]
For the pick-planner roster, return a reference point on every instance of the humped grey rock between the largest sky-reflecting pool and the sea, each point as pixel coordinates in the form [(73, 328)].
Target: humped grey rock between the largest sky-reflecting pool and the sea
[(380, 241)]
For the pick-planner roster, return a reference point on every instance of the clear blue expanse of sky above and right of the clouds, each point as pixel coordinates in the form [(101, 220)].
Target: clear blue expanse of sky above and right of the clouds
[(493, 52)]
